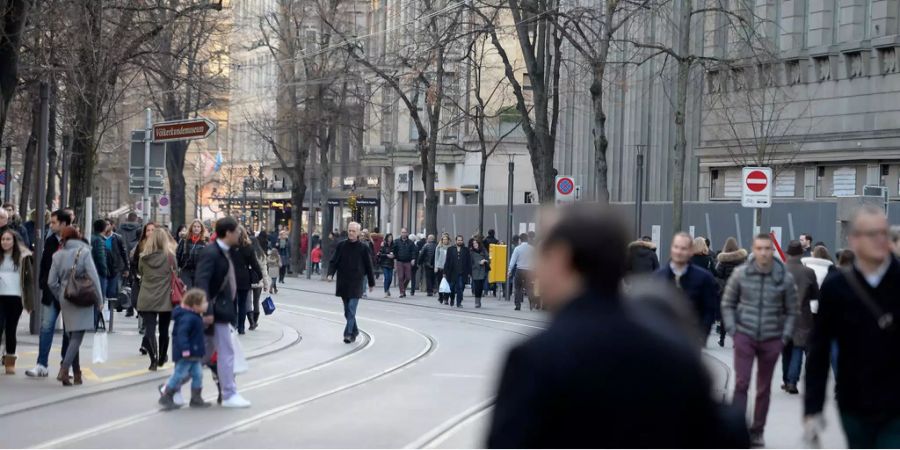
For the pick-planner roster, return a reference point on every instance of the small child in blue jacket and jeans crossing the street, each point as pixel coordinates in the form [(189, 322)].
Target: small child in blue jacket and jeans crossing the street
[(187, 350)]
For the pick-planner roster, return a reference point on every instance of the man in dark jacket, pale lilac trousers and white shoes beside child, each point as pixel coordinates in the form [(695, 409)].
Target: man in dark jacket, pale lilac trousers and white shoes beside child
[(216, 276)]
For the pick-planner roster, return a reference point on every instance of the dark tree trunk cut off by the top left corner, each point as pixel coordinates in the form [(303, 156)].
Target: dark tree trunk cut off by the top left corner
[(13, 20)]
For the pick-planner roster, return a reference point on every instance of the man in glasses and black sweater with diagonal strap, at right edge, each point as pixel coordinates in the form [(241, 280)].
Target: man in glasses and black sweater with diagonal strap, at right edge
[(858, 308)]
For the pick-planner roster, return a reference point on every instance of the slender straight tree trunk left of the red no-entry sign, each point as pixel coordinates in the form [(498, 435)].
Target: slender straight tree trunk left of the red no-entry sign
[(680, 151)]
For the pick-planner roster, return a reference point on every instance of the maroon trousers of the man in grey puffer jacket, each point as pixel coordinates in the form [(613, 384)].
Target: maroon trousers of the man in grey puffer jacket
[(746, 350)]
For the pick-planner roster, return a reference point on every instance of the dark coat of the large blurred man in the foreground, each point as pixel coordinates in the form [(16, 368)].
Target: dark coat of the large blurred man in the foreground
[(550, 396)]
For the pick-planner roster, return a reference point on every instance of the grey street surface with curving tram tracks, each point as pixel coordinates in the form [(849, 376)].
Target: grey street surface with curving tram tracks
[(421, 375)]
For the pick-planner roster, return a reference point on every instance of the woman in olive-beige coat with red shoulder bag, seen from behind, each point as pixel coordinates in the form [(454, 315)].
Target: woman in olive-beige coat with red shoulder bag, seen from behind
[(156, 266)]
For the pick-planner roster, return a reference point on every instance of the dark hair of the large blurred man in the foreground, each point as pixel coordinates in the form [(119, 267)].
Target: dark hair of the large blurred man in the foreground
[(600, 260)]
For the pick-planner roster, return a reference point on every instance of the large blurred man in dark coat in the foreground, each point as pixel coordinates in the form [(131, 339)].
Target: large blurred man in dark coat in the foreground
[(574, 385)]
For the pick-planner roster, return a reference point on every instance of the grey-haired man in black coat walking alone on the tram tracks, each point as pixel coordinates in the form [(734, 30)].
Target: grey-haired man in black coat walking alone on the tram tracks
[(351, 262)]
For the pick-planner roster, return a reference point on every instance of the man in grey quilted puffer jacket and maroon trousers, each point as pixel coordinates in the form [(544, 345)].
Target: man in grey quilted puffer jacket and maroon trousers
[(759, 308)]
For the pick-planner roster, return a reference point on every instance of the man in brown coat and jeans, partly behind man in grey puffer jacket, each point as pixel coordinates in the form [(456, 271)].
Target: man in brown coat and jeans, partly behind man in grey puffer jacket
[(807, 290)]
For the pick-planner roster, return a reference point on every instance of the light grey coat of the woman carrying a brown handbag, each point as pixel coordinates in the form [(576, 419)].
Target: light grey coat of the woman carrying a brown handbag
[(76, 318)]
